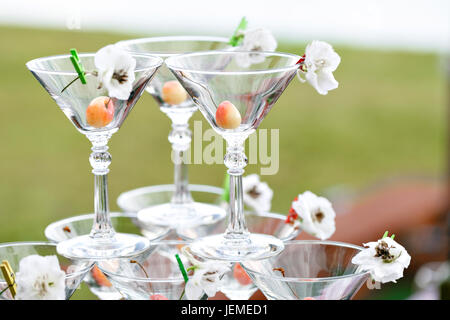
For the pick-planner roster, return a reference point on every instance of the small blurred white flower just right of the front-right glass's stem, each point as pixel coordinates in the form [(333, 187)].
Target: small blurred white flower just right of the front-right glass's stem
[(257, 194)]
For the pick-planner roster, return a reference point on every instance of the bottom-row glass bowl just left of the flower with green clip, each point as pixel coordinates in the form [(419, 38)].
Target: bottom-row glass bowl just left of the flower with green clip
[(151, 275)]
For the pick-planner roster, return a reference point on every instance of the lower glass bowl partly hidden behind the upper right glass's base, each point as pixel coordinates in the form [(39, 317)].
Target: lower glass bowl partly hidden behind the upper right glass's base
[(237, 285)]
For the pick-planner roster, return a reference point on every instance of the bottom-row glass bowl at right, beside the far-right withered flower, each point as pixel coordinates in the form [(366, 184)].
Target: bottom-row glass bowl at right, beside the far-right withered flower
[(308, 270)]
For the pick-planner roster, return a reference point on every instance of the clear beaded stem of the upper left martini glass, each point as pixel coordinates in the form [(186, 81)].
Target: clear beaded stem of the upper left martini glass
[(100, 160)]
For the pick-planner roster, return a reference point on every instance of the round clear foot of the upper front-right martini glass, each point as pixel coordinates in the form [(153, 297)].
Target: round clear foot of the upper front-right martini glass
[(255, 247)]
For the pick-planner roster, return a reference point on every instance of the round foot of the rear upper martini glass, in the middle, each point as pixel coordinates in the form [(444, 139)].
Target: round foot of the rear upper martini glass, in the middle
[(181, 215)]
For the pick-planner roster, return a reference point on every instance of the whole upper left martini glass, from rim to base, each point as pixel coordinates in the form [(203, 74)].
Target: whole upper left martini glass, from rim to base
[(56, 72)]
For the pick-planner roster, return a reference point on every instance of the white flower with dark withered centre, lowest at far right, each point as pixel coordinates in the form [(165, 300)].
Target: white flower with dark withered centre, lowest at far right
[(385, 259)]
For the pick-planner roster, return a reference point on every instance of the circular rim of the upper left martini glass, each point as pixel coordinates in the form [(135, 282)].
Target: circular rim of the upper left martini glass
[(31, 64)]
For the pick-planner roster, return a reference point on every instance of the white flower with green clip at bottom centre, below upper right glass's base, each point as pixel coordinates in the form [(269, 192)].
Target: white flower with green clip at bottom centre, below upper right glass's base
[(207, 277)]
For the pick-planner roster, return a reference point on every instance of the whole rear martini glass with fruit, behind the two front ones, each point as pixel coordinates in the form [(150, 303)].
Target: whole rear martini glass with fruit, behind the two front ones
[(181, 209)]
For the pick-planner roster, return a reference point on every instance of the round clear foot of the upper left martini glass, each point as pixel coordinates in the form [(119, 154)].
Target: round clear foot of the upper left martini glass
[(122, 245)]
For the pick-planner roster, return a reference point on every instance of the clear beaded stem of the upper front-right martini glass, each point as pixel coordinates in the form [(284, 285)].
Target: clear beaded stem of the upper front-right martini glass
[(235, 160)]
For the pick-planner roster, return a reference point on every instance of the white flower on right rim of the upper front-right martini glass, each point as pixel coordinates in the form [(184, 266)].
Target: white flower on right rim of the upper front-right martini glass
[(318, 65)]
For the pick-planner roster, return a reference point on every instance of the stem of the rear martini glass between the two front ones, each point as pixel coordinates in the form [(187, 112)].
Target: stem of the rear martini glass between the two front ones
[(180, 138)]
